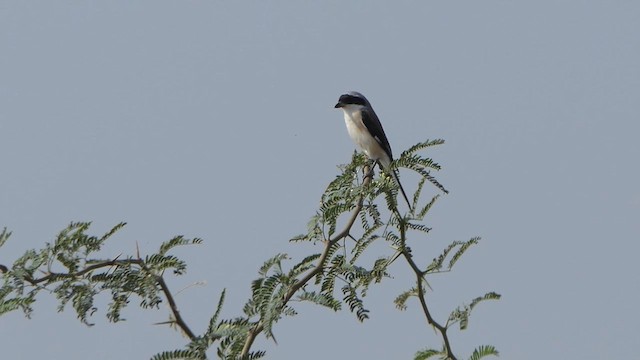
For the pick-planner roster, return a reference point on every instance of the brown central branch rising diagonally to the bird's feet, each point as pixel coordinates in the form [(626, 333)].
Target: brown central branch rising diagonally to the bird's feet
[(253, 333)]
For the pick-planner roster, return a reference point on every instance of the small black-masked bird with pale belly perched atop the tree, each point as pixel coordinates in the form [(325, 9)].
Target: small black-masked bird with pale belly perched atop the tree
[(366, 131)]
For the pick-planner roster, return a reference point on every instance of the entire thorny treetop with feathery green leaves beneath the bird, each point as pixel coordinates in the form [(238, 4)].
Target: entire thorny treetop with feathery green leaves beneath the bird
[(358, 209)]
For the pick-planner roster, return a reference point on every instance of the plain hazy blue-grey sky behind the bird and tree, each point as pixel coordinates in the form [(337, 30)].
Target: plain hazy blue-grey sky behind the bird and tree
[(215, 119)]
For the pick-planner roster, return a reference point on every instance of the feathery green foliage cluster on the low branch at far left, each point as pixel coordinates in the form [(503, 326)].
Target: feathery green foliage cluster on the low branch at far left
[(70, 268)]
